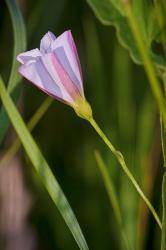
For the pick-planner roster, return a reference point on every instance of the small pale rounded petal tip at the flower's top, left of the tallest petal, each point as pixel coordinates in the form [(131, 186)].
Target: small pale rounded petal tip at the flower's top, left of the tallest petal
[(46, 42)]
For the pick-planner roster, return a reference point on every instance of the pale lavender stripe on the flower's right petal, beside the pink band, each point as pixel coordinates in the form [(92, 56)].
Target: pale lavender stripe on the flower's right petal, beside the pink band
[(60, 53)]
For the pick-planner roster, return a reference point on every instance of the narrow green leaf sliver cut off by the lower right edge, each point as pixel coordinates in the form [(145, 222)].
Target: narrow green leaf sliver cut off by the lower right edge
[(163, 237)]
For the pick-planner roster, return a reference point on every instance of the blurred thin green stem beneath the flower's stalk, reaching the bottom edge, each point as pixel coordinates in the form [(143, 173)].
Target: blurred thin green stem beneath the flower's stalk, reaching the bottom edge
[(112, 196)]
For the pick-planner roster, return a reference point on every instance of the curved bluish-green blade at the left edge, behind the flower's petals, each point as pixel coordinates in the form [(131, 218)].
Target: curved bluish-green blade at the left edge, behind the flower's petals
[(19, 46)]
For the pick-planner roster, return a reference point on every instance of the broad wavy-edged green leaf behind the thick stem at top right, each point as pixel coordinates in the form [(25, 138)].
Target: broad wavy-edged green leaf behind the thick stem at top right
[(108, 13)]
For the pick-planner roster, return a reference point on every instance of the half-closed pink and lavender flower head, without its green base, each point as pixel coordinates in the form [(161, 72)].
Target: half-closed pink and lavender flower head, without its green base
[(55, 68)]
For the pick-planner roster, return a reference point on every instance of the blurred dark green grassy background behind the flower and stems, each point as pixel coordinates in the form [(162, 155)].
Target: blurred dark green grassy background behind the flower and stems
[(123, 106)]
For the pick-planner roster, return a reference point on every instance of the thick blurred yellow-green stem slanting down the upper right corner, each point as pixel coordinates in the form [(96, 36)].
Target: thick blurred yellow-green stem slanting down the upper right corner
[(148, 65)]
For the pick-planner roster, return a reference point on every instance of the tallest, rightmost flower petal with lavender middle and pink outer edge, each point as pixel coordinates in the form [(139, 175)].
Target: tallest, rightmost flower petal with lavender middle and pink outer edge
[(66, 52)]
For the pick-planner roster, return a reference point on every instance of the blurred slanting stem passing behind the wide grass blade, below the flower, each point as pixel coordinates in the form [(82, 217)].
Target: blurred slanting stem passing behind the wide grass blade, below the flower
[(31, 124)]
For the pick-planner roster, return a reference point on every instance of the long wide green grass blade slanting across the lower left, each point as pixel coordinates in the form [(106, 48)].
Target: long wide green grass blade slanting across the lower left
[(42, 168)]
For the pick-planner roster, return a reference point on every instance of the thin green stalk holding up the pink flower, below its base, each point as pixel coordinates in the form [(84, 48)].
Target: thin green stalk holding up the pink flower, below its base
[(123, 165)]
